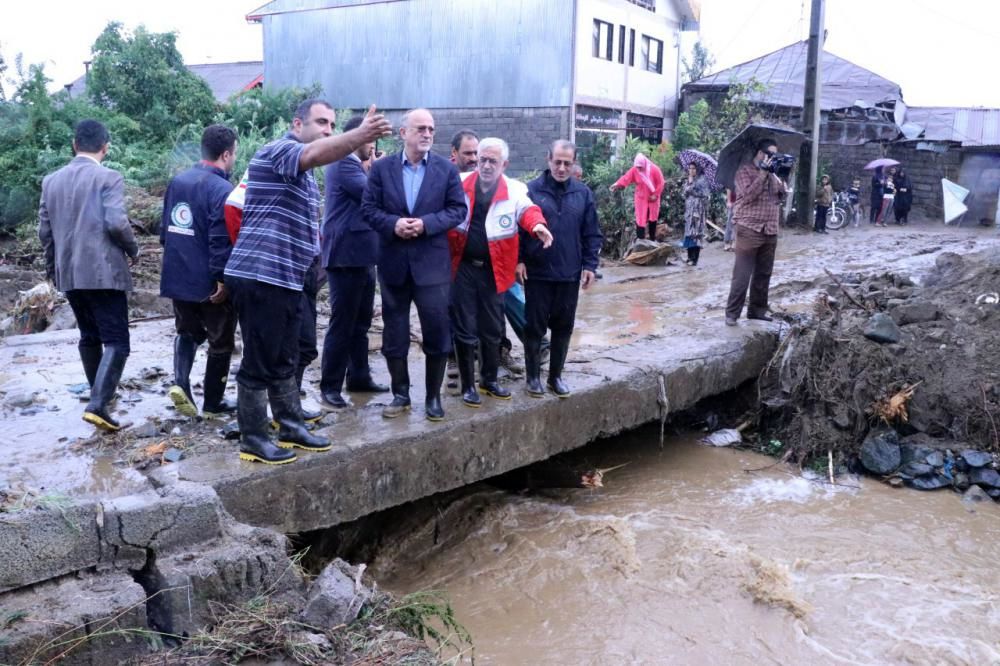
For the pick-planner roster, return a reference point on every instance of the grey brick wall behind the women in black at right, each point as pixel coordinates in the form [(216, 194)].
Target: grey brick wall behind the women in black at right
[(925, 169)]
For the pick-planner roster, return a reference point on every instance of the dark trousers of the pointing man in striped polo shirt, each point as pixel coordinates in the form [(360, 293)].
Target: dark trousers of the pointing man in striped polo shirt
[(270, 320)]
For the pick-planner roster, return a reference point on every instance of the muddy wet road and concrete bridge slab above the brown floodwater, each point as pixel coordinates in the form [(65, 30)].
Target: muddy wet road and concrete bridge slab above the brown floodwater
[(640, 329)]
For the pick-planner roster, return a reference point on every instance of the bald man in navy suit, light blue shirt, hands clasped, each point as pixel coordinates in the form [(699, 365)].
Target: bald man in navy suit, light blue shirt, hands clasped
[(413, 198)]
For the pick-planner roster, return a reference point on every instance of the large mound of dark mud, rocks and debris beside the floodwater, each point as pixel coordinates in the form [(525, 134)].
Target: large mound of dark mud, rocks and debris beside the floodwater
[(897, 378)]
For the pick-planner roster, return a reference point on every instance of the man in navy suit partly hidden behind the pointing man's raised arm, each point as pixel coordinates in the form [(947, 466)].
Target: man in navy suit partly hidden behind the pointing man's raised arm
[(349, 253)]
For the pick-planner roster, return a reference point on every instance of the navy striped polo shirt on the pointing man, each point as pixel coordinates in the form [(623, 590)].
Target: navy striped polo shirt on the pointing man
[(279, 234)]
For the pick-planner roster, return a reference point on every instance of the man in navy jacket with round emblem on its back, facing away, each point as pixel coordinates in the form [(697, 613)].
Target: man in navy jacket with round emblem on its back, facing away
[(196, 248)]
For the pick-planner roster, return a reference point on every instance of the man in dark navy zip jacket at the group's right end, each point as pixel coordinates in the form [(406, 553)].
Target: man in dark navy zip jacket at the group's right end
[(553, 277)]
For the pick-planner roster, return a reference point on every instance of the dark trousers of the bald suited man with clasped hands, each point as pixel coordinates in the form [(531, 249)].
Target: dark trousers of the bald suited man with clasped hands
[(432, 309)]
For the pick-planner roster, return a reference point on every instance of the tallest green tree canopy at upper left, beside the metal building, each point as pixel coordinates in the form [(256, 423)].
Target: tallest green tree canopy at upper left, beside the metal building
[(142, 75)]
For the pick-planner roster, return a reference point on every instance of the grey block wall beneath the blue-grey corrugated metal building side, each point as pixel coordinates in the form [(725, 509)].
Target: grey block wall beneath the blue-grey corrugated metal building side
[(528, 131)]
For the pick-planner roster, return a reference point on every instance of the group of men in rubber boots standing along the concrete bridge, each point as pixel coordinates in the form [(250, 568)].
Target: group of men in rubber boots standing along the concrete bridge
[(451, 244)]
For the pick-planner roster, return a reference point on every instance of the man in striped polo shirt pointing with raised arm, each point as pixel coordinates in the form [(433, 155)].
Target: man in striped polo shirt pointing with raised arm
[(276, 245)]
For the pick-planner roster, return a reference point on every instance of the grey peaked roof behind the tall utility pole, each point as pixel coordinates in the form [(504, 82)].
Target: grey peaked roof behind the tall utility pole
[(783, 72)]
